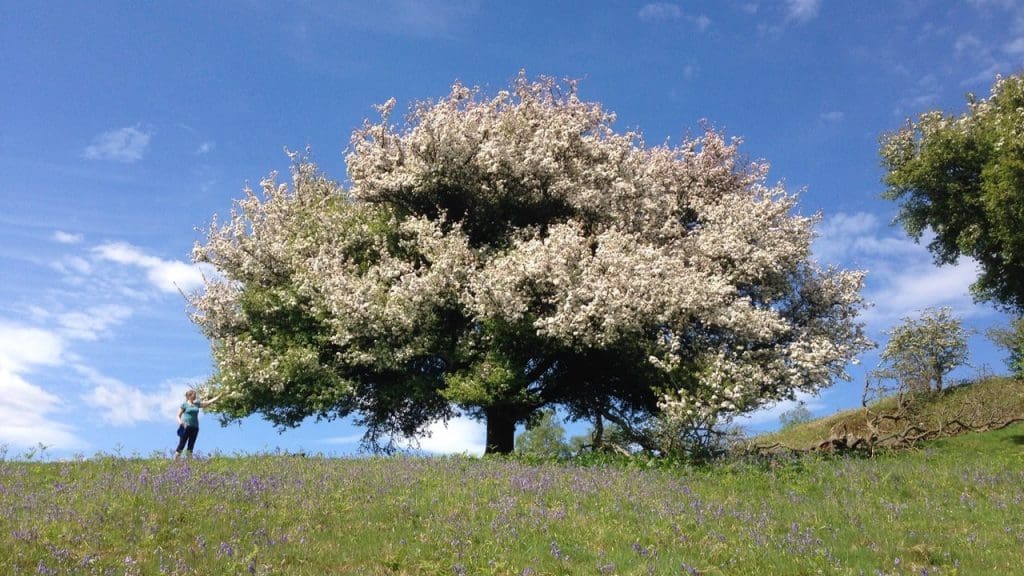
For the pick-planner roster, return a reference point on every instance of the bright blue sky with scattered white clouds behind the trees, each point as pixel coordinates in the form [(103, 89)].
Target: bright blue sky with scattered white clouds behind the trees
[(124, 128)]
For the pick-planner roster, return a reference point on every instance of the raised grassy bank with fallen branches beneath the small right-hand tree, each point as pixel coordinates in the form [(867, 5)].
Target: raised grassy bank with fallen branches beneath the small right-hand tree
[(996, 399)]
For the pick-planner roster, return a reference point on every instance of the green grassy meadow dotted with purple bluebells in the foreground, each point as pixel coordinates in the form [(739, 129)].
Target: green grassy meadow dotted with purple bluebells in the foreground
[(954, 507)]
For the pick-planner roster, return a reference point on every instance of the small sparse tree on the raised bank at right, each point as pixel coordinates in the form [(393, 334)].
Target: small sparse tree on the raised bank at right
[(921, 352)]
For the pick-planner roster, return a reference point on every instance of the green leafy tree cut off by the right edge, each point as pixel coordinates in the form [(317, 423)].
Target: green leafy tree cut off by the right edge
[(963, 179)]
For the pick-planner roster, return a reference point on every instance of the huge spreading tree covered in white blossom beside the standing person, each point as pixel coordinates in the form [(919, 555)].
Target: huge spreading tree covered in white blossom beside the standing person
[(498, 257)]
